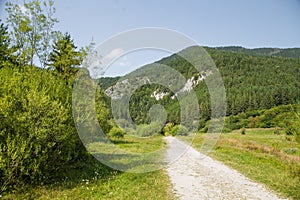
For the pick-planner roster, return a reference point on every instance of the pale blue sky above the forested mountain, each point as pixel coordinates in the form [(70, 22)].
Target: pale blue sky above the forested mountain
[(247, 23)]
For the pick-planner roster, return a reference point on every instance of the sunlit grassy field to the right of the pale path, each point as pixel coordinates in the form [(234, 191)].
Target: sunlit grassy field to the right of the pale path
[(261, 155)]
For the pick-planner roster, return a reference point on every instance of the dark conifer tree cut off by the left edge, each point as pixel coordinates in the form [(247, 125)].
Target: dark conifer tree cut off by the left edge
[(6, 51)]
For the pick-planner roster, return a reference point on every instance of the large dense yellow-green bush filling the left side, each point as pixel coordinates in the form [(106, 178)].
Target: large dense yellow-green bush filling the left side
[(38, 139)]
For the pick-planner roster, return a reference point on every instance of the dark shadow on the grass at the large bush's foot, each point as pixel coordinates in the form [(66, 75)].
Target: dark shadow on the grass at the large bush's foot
[(89, 169)]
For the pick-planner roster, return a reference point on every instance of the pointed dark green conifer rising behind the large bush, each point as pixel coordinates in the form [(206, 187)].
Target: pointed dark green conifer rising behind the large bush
[(64, 56)]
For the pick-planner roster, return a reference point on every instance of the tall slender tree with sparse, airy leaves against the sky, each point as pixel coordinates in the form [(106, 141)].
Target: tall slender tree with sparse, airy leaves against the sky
[(32, 30)]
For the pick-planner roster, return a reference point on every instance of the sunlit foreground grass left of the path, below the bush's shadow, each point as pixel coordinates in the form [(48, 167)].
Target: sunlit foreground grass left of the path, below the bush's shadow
[(154, 185)]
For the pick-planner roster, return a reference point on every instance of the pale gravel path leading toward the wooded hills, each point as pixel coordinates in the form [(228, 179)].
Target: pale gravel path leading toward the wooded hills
[(196, 176)]
